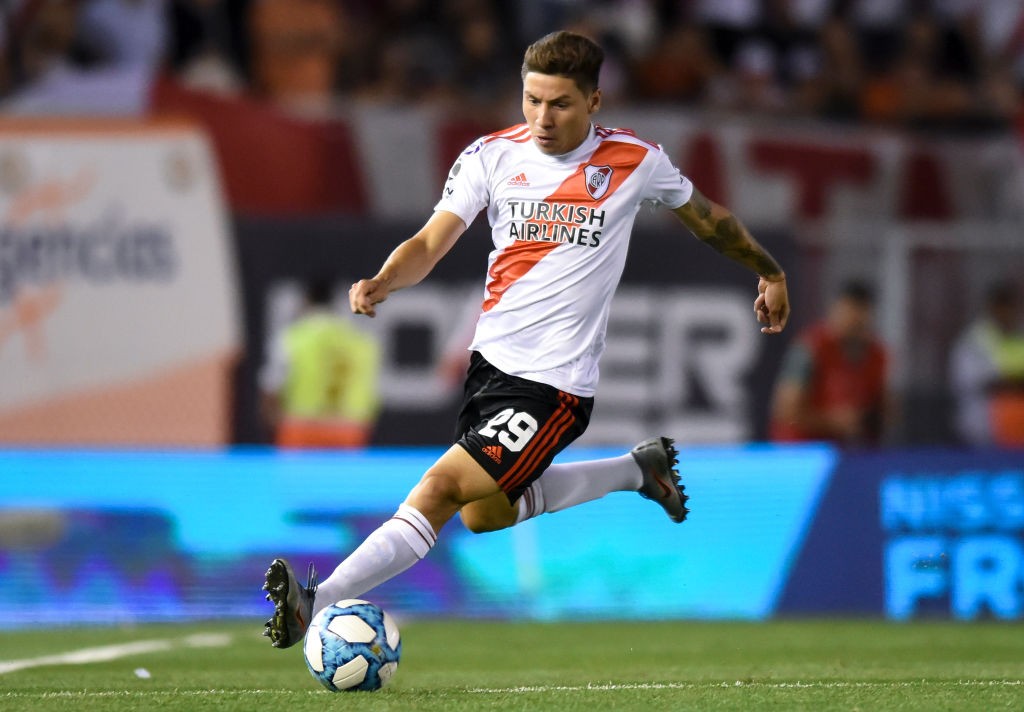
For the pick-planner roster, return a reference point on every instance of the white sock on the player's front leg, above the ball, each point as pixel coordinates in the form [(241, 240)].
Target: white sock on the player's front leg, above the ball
[(394, 548)]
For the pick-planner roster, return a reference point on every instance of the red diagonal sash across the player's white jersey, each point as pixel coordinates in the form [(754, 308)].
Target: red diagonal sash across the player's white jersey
[(520, 258)]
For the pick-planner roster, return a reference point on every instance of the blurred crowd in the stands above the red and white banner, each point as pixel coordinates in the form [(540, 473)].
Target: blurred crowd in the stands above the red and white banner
[(950, 65)]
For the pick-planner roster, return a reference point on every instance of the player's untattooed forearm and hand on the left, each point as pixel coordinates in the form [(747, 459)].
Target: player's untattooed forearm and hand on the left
[(410, 263)]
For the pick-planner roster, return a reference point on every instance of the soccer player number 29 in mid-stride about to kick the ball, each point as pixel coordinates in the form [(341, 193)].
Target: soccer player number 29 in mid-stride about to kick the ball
[(562, 194)]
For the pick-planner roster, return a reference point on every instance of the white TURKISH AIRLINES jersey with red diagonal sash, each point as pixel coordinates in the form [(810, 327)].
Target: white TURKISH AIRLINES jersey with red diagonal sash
[(562, 229)]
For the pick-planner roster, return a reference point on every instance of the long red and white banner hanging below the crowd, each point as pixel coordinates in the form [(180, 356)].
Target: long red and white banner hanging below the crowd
[(391, 162)]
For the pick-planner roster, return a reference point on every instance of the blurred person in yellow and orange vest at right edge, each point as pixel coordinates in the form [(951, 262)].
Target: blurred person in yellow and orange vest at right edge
[(988, 372)]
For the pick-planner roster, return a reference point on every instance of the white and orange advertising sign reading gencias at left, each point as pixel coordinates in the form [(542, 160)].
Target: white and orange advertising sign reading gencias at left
[(118, 294)]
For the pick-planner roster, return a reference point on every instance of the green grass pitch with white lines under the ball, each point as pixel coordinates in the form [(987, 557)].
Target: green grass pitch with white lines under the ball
[(460, 665)]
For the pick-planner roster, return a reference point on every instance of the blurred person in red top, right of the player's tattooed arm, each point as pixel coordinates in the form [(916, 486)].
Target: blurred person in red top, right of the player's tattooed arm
[(833, 386)]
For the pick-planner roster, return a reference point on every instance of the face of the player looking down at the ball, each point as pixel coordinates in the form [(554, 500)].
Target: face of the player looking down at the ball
[(558, 112)]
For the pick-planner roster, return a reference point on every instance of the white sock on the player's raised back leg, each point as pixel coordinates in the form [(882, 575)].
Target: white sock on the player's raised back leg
[(566, 486)]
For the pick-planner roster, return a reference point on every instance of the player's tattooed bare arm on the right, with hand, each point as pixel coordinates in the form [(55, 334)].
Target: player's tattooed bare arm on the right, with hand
[(720, 230)]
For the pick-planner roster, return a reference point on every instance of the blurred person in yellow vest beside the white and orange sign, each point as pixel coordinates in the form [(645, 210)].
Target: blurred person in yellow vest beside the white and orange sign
[(321, 382)]
